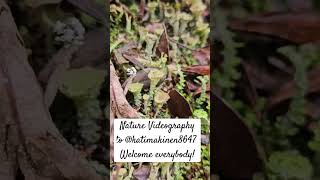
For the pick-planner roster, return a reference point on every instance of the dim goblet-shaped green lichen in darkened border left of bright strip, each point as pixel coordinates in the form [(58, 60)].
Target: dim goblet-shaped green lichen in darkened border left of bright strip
[(83, 86)]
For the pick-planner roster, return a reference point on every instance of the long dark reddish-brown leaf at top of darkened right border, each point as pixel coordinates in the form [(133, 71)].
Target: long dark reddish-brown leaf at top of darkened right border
[(297, 27)]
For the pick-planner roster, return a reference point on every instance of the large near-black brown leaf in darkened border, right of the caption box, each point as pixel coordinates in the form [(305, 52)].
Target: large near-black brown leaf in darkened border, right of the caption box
[(236, 155)]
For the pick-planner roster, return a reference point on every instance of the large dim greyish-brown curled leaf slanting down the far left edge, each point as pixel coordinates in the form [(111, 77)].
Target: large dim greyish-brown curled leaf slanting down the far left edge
[(31, 137)]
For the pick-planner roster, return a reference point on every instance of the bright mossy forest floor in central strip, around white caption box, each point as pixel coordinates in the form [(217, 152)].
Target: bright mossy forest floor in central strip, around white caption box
[(160, 54)]
